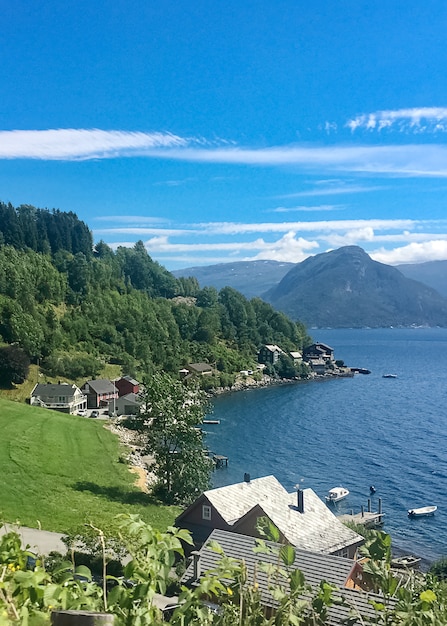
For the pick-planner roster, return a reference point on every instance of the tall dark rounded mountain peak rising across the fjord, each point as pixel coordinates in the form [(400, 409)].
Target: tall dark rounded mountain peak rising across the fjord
[(346, 288)]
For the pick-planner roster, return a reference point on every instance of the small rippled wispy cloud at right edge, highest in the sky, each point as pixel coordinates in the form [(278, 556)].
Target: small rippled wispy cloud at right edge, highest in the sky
[(417, 120)]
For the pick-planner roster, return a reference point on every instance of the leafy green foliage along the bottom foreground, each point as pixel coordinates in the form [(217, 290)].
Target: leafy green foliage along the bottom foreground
[(29, 592)]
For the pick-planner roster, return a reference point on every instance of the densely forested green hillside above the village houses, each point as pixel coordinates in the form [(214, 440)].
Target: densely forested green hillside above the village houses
[(75, 306)]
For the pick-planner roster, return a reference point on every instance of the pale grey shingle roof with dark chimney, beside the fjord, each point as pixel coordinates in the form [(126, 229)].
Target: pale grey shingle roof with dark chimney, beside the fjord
[(316, 529)]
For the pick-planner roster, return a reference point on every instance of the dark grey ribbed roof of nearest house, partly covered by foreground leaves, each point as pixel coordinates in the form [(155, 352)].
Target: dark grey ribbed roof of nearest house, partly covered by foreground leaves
[(315, 567)]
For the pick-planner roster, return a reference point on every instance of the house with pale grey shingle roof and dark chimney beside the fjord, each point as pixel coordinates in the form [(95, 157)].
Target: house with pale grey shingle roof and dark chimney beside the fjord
[(302, 519)]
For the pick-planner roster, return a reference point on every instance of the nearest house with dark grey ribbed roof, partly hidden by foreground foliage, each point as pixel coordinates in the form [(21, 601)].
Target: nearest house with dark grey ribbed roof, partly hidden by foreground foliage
[(344, 574)]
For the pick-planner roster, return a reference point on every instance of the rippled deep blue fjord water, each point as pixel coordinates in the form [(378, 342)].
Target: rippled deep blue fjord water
[(353, 432)]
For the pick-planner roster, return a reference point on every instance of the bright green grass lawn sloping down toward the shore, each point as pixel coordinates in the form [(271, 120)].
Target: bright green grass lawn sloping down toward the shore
[(63, 471)]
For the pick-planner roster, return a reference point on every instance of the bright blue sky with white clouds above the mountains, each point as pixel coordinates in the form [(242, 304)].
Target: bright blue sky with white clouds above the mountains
[(224, 131)]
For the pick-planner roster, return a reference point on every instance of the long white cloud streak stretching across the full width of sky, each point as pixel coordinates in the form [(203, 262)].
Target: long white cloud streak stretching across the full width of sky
[(425, 160)]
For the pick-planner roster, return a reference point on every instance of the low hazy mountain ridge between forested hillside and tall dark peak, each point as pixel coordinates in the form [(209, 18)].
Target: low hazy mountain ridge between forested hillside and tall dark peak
[(251, 278)]
